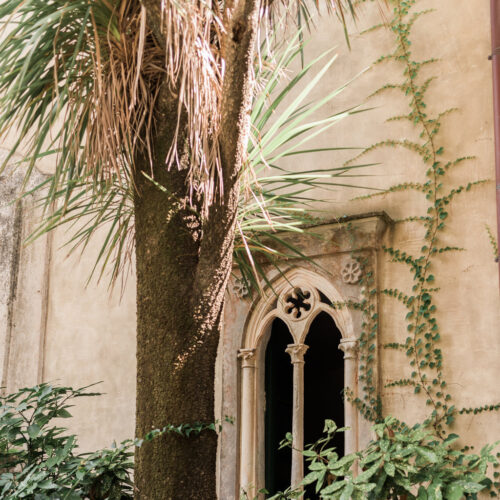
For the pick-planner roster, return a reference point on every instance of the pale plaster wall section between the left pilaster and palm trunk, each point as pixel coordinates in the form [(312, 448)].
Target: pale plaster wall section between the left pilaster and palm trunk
[(91, 338)]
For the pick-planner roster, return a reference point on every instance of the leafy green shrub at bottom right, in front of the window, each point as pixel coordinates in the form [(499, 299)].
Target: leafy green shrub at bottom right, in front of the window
[(401, 463)]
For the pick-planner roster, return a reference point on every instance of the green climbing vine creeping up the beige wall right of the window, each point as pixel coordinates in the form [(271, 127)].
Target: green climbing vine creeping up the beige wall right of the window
[(422, 343)]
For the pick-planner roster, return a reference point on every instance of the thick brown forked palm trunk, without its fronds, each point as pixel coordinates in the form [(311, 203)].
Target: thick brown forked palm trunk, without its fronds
[(183, 265)]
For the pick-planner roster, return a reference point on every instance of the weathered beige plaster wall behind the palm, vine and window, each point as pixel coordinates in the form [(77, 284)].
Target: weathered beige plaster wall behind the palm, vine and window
[(90, 333)]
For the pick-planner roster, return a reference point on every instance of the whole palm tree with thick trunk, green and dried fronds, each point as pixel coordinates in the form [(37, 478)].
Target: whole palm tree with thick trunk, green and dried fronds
[(156, 143)]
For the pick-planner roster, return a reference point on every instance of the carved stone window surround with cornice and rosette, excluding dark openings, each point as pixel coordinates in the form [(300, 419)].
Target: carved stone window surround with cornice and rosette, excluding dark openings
[(295, 295)]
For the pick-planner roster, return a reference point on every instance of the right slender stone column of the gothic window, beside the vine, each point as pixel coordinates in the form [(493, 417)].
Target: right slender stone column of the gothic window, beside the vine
[(350, 347)]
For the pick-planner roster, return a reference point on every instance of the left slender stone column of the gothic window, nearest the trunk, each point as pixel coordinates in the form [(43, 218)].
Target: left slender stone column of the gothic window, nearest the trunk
[(247, 456)]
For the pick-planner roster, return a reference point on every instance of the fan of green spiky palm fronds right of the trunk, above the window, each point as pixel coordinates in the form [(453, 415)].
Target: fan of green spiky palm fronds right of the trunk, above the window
[(275, 200)]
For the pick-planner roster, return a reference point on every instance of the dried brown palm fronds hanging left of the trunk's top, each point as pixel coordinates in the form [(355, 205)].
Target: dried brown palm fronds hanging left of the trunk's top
[(127, 72)]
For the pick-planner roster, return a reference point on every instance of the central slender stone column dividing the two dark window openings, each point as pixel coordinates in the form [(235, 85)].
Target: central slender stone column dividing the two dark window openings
[(297, 352)]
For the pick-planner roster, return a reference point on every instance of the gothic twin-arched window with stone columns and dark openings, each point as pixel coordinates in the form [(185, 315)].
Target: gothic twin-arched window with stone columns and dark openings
[(292, 378)]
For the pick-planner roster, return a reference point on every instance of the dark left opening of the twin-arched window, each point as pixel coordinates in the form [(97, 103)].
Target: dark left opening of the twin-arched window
[(279, 399)]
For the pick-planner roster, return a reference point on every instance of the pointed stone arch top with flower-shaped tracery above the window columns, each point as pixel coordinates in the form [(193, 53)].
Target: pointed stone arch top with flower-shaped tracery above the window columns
[(295, 285)]
